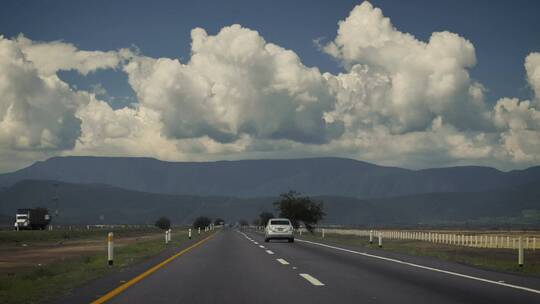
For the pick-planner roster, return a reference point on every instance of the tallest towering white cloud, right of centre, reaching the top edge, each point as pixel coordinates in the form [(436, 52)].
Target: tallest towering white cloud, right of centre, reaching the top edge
[(423, 80)]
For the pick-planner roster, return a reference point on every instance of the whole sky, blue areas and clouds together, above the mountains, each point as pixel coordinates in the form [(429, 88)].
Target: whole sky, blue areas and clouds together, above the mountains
[(415, 84)]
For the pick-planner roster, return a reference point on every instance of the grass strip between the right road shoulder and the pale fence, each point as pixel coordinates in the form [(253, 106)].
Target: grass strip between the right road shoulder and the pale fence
[(504, 260)]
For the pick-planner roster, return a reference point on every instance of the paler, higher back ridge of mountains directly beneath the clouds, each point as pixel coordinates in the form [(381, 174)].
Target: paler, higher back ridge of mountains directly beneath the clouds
[(256, 178)]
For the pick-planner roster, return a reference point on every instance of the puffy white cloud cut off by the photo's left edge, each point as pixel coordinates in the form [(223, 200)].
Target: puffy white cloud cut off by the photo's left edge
[(36, 111)]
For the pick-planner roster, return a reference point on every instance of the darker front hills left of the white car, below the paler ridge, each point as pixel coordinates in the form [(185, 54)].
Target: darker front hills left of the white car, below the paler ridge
[(85, 203)]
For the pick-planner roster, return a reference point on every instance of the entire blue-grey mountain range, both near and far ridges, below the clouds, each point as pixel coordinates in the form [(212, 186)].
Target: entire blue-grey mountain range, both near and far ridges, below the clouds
[(138, 190)]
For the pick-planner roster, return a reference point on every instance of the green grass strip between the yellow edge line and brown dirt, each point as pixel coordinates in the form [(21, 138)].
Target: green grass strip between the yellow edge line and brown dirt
[(45, 282)]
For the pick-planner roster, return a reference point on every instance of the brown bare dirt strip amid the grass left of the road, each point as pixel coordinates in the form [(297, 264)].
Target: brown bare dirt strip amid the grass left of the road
[(21, 257)]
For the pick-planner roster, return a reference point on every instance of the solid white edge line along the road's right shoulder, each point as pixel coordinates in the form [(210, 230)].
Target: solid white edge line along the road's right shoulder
[(426, 267)]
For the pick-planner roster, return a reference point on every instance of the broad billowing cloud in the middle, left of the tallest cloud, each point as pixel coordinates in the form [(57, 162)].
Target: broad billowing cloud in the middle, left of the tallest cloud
[(236, 84)]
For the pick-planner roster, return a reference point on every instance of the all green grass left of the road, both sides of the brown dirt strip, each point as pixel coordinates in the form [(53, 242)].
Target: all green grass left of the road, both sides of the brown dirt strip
[(40, 283)]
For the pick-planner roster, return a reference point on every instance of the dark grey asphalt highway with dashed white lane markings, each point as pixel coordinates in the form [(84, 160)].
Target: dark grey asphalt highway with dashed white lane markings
[(232, 267)]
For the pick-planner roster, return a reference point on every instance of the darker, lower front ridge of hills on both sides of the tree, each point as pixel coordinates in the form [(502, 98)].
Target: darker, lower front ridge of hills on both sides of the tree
[(80, 203)]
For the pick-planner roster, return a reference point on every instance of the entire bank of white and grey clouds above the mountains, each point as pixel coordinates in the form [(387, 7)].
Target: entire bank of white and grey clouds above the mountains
[(399, 101)]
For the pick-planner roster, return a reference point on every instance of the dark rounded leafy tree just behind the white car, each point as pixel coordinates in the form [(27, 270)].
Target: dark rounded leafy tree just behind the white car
[(299, 208)]
